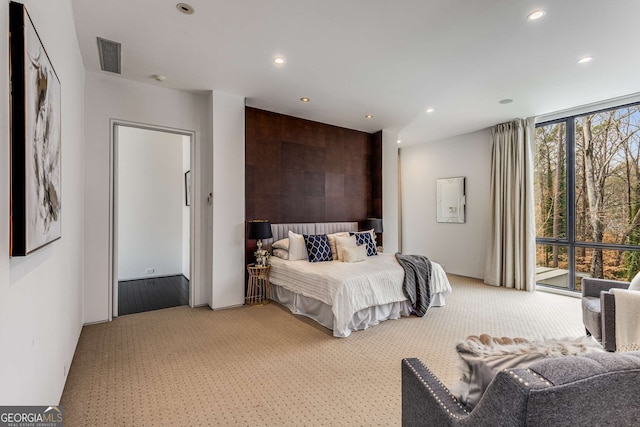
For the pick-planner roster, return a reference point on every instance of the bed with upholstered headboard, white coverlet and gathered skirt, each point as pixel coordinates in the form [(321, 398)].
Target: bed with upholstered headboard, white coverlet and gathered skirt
[(344, 297)]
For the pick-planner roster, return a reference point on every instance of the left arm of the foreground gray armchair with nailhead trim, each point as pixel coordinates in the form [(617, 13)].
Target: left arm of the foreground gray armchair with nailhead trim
[(425, 400)]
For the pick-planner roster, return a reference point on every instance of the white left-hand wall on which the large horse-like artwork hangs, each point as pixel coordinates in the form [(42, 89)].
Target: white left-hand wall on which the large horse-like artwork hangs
[(41, 295)]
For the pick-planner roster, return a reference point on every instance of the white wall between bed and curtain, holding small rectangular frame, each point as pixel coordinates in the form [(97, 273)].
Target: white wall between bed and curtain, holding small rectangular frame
[(460, 248)]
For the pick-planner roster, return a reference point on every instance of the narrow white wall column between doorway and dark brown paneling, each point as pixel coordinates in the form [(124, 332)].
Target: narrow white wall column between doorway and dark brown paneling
[(228, 200)]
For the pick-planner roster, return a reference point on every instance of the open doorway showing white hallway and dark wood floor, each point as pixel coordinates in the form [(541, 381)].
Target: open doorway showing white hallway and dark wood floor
[(152, 218)]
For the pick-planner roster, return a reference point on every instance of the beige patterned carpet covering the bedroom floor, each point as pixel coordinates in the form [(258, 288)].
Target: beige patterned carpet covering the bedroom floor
[(263, 366)]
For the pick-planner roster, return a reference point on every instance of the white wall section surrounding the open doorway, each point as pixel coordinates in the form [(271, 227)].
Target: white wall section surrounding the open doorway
[(111, 97)]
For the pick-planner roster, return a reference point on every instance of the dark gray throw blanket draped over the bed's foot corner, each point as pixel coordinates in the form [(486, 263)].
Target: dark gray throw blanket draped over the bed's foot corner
[(417, 281)]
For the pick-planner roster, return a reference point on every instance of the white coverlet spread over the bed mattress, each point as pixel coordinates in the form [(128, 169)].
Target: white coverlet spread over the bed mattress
[(350, 287)]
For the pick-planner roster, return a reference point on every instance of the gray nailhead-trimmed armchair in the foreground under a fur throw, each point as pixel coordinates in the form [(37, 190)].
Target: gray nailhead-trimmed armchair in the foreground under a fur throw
[(596, 389)]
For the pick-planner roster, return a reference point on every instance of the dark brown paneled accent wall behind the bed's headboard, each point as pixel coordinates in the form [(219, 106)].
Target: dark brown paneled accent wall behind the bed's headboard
[(303, 171)]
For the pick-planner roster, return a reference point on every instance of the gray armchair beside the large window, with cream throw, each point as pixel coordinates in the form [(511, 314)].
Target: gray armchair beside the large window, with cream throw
[(599, 310)]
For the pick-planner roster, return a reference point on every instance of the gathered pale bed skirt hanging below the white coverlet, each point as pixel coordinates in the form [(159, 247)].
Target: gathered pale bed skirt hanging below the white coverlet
[(321, 312)]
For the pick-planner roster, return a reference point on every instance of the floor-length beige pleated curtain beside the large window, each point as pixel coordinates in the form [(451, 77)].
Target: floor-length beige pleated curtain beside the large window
[(511, 247)]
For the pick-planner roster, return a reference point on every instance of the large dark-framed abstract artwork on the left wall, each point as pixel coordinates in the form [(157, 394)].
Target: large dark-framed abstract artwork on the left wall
[(36, 204)]
